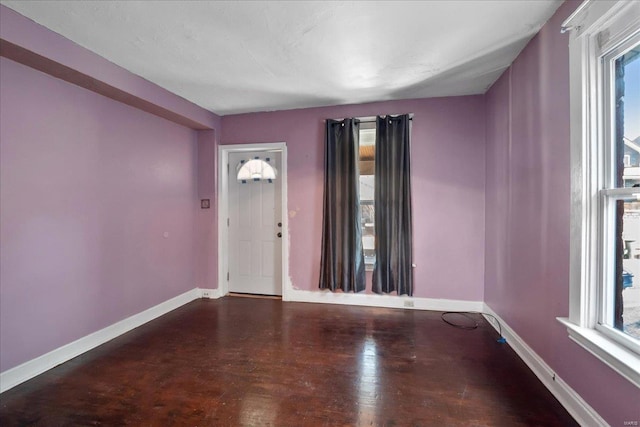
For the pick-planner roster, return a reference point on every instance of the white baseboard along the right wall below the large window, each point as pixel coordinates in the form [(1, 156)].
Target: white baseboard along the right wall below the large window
[(584, 414)]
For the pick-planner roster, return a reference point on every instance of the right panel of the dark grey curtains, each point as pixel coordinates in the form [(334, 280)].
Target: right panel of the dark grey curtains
[(392, 202)]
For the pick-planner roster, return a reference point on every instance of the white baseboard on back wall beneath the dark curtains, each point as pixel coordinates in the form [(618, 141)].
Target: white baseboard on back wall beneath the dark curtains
[(388, 301)]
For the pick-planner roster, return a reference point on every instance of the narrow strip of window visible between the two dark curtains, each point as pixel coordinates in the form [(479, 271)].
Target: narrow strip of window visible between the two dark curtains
[(367, 185)]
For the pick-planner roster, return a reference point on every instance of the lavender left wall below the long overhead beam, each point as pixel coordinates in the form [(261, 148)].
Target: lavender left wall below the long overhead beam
[(89, 186)]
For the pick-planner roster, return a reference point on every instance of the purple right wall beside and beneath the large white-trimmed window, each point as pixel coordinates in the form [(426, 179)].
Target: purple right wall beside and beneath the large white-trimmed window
[(528, 202)]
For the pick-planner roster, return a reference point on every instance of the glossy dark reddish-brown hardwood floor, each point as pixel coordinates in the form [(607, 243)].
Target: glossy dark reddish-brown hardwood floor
[(257, 362)]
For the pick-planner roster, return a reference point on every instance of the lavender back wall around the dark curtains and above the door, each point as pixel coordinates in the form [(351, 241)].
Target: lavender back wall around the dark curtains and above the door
[(448, 186)]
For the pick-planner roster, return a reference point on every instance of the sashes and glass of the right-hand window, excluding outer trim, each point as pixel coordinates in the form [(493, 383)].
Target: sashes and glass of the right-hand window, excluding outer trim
[(620, 194)]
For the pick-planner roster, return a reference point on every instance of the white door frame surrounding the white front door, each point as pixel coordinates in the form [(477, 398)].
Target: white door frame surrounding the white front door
[(223, 210)]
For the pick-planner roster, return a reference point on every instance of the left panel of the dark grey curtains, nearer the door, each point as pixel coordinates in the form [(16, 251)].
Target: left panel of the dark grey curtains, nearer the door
[(342, 262)]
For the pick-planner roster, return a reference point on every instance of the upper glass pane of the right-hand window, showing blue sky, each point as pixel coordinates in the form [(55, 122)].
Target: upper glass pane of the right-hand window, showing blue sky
[(627, 118)]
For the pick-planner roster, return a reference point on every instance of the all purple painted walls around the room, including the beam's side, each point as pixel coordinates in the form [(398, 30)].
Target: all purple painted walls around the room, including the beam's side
[(89, 186)]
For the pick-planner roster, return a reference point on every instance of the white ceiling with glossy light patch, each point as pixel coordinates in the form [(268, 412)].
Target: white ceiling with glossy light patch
[(235, 56)]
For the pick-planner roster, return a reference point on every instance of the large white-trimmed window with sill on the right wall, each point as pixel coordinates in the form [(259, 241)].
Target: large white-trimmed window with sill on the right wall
[(605, 161)]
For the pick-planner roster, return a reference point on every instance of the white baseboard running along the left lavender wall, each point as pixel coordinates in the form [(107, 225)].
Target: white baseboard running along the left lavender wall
[(34, 367)]
